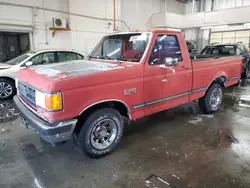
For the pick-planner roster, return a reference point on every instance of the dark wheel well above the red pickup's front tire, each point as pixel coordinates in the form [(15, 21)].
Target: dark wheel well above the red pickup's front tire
[(119, 106)]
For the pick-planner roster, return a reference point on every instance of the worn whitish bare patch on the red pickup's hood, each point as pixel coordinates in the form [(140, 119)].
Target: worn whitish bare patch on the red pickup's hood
[(75, 68)]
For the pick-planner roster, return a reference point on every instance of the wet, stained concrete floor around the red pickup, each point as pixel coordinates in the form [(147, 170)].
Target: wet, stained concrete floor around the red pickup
[(180, 145)]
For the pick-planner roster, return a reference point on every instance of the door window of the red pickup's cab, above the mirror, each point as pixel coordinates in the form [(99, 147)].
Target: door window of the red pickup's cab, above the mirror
[(165, 46)]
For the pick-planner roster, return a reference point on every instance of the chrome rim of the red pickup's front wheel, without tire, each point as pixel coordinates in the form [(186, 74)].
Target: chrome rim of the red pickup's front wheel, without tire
[(103, 134)]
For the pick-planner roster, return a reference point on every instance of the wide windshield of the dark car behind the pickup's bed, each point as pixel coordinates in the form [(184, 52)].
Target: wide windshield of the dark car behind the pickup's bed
[(219, 50)]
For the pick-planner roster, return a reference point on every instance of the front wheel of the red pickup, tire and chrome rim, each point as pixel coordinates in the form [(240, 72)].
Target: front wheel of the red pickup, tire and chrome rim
[(101, 133)]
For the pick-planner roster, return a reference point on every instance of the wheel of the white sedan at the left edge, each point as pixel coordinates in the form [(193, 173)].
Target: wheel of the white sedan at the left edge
[(7, 88)]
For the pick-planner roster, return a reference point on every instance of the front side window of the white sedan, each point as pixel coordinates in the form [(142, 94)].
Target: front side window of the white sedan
[(44, 58)]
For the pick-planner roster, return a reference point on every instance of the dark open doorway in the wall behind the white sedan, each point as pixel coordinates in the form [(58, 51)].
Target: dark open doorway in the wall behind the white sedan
[(13, 44)]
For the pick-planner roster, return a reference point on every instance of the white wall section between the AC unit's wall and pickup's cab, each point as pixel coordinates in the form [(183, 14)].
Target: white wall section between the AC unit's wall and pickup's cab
[(87, 32)]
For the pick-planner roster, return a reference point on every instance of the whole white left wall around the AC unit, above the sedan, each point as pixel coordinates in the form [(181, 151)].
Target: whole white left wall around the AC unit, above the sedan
[(86, 32)]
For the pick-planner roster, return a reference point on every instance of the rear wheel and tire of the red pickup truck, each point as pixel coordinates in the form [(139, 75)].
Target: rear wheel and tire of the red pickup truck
[(205, 102)]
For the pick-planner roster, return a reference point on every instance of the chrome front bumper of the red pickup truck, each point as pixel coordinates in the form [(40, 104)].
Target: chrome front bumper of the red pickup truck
[(51, 132)]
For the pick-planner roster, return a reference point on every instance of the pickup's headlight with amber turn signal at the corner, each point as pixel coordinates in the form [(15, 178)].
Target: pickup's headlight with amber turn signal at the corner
[(50, 102)]
